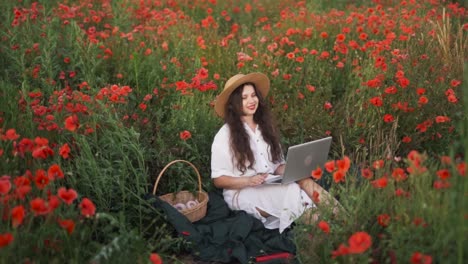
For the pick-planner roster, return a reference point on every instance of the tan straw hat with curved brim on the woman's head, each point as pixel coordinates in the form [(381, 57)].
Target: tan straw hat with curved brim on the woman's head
[(260, 80)]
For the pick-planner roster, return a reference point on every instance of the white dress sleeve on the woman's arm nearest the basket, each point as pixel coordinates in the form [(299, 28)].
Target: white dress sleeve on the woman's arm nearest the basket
[(221, 155)]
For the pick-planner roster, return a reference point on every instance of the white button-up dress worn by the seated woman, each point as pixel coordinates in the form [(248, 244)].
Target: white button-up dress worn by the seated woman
[(284, 203)]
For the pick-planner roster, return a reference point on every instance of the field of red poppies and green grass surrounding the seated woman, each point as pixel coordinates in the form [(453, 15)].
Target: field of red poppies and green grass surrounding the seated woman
[(97, 96)]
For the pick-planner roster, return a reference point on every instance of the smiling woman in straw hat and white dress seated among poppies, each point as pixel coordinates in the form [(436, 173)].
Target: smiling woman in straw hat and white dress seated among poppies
[(247, 149)]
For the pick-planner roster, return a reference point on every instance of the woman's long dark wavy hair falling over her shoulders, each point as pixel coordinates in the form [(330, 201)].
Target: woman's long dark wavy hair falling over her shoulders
[(240, 144)]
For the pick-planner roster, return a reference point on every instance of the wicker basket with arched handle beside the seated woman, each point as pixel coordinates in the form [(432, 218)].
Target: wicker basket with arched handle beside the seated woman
[(194, 213)]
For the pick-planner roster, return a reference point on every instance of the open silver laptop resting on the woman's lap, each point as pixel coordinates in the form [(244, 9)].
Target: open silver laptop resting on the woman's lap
[(301, 160)]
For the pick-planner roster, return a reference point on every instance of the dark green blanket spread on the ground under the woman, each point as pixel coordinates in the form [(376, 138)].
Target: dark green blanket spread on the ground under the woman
[(229, 236)]
